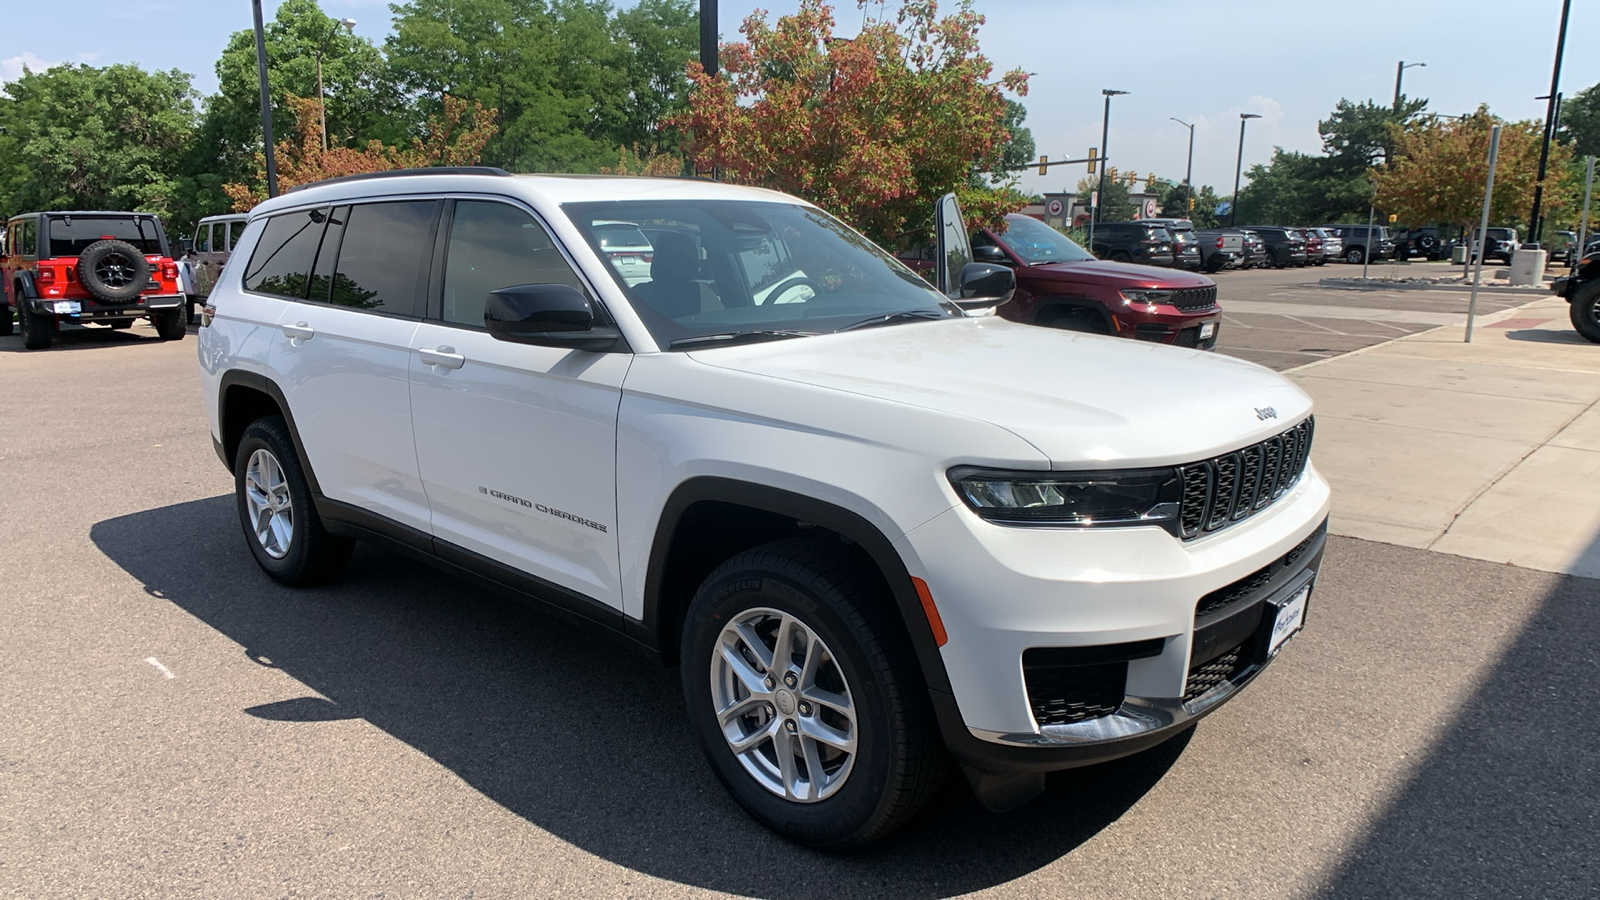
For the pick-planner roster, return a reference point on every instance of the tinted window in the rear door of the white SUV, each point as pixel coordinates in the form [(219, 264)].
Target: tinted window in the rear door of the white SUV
[(383, 257)]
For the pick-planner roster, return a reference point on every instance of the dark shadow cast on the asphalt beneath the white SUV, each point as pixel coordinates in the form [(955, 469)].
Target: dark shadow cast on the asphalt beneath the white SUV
[(574, 733)]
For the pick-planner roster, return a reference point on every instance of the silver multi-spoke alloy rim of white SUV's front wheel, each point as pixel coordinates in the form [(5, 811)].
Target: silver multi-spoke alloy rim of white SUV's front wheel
[(785, 705)]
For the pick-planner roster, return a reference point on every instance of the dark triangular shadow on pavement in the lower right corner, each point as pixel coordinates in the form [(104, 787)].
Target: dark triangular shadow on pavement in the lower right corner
[(1506, 803)]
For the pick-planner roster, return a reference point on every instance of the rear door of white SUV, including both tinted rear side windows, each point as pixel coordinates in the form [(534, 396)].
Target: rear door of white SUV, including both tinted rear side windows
[(343, 350)]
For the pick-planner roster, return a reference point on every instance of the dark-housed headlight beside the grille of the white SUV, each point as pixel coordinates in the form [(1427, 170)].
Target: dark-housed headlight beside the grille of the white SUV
[(1118, 497)]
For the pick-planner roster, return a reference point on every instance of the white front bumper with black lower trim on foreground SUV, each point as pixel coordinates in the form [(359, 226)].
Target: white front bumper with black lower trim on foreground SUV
[(1126, 598)]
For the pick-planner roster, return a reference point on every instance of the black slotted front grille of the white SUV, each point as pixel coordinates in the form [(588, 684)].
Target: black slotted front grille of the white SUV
[(1236, 486)]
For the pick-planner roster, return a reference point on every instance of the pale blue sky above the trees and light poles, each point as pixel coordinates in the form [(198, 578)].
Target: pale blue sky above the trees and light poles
[(1202, 62)]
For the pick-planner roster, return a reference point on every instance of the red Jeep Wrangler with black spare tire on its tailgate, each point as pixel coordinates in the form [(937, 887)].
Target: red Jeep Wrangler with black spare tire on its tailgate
[(97, 267)]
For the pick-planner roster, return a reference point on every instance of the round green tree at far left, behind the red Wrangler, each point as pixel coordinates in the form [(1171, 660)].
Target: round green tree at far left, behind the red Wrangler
[(87, 139)]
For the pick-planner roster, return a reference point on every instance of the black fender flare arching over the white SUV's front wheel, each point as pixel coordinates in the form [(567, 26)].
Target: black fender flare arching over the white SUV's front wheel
[(657, 629)]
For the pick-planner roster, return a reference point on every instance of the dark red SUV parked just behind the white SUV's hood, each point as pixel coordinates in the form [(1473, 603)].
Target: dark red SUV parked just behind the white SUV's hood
[(1062, 286)]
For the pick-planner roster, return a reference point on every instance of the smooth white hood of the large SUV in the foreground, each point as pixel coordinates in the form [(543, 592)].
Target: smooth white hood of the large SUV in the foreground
[(1084, 401)]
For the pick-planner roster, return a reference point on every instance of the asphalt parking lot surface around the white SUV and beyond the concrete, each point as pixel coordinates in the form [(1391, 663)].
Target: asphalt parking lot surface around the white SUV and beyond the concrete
[(180, 726)]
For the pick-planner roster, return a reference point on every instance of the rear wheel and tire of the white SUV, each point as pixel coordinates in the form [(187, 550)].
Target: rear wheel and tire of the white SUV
[(276, 508)]
